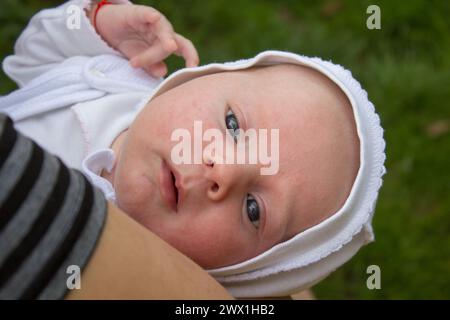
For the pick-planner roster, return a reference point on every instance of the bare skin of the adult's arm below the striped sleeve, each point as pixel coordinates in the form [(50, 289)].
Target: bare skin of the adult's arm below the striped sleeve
[(132, 263)]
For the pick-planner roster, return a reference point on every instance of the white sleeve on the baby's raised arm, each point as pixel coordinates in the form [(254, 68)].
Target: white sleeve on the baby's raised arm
[(53, 35)]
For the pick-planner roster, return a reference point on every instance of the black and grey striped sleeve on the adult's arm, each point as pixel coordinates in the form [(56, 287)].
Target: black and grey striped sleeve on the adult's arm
[(50, 218)]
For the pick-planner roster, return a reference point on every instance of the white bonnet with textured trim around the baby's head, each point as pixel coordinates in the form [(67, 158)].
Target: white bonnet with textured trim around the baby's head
[(313, 254)]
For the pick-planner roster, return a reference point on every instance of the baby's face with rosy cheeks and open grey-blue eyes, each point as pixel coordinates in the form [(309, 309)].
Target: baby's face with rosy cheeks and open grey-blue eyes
[(228, 213)]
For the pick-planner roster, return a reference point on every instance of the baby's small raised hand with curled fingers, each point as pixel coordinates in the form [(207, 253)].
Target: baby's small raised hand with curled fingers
[(144, 36)]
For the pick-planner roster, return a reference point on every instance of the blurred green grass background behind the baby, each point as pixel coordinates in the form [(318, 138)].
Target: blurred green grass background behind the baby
[(405, 67)]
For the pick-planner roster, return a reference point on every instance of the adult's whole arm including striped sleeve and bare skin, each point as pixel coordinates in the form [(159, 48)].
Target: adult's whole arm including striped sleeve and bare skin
[(51, 218)]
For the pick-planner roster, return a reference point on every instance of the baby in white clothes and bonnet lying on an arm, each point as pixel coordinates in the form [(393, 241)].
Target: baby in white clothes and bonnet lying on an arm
[(260, 235)]
